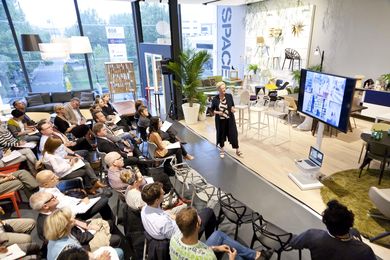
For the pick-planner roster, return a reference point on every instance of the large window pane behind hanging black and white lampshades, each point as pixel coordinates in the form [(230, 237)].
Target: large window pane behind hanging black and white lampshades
[(51, 20)]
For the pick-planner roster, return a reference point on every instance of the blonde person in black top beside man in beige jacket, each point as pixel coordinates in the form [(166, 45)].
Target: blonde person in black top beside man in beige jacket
[(65, 125)]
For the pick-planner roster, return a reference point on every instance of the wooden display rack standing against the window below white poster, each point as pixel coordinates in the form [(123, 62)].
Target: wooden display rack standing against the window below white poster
[(121, 77)]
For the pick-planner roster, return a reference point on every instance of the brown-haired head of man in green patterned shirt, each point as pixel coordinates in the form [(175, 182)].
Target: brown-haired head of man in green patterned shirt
[(188, 221)]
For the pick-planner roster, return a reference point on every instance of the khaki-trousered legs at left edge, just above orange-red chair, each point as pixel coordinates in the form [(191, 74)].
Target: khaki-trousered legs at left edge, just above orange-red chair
[(18, 180)]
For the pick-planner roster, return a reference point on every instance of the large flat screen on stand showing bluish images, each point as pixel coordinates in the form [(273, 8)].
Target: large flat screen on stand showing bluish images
[(326, 97)]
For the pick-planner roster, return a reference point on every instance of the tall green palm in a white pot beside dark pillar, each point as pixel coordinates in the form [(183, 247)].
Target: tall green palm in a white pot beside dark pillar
[(188, 71)]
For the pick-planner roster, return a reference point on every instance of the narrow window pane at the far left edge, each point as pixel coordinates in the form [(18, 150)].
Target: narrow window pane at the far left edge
[(12, 81)]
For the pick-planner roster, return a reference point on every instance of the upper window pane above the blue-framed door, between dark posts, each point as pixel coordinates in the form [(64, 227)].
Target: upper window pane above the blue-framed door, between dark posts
[(155, 22)]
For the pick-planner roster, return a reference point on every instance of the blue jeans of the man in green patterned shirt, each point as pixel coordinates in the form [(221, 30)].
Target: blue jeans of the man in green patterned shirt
[(219, 238)]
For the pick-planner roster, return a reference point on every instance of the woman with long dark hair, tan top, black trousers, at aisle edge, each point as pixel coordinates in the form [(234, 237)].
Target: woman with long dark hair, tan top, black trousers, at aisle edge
[(162, 151)]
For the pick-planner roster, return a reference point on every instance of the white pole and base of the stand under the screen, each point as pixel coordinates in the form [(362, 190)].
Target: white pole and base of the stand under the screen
[(308, 180)]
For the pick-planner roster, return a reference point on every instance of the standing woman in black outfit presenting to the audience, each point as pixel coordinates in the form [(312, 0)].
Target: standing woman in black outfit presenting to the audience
[(225, 123)]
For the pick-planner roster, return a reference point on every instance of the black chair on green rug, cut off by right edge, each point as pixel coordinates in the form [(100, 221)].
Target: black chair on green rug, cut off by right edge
[(379, 152)]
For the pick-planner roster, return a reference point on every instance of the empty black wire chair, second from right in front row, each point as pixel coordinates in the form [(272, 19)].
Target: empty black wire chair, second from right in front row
[(234, 210)]
